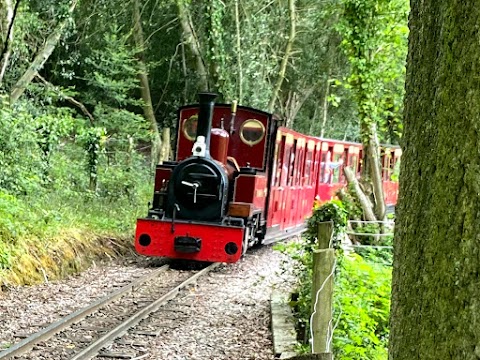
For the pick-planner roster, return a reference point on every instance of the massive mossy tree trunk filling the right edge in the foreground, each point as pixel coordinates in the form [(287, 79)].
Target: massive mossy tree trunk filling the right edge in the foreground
[(435, 310)]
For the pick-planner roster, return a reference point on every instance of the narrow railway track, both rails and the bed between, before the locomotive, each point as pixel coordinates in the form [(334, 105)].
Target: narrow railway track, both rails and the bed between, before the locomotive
[(103, 328)]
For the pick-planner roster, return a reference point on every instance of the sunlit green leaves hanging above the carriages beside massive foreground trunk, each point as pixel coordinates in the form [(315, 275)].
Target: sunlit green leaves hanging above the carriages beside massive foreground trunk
[(374, 36)]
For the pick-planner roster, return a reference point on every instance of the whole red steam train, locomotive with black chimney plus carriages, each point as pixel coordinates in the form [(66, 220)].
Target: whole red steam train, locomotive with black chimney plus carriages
[(240, 178)]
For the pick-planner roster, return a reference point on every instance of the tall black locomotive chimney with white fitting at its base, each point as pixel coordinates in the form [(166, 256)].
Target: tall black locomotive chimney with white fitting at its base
[(204, 125)]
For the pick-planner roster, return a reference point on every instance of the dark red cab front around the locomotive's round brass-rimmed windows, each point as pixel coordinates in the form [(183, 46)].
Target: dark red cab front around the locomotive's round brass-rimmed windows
[(243, 153)]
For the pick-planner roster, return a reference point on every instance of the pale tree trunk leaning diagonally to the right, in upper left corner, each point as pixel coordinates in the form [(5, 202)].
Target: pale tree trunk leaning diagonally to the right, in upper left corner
[(41, 57)]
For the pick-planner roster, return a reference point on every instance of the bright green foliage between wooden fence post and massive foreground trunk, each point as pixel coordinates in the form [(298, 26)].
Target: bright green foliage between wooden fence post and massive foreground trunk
[(362, 307)]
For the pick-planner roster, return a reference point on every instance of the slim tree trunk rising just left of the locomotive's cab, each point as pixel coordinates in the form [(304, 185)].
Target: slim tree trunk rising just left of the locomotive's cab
[(156, 153)]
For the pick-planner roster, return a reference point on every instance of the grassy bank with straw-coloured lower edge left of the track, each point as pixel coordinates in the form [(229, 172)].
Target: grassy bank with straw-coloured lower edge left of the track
[(52, 235)]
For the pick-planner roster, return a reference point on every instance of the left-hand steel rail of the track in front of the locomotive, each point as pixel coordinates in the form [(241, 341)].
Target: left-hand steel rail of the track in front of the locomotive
[(25, 345)]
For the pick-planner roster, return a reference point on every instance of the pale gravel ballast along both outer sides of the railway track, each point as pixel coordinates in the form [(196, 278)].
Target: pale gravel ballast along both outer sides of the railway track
[(227, 313)]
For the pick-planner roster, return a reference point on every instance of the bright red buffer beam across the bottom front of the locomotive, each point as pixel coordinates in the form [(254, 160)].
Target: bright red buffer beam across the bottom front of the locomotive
[(214, 238)]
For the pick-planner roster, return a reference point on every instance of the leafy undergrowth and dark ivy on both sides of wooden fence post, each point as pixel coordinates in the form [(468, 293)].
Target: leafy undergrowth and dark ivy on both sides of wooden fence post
[(361, 291)]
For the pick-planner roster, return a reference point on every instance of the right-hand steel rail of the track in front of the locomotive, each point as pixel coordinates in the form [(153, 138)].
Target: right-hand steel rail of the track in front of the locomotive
[(93, 349)]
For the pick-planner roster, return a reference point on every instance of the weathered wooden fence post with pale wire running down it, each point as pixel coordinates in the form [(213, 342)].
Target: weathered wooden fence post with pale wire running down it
[(322, 299)]
